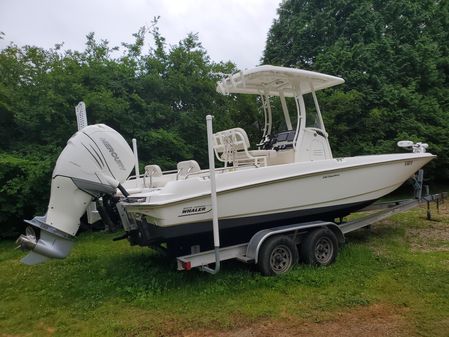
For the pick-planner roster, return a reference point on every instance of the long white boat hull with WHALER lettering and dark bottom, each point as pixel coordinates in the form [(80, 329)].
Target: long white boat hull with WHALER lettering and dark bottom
[(282, 193)]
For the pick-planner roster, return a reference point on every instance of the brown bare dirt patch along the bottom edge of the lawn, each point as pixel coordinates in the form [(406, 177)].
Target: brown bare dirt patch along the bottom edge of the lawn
[(371, 321)]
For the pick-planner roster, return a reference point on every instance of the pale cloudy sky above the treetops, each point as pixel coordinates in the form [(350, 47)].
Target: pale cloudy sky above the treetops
[(230, 30)]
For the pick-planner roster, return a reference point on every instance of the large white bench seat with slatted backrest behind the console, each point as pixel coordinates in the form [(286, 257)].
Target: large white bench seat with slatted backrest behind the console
[(232, 146)]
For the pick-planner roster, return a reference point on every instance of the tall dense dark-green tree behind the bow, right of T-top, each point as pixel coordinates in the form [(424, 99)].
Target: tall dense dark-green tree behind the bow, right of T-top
[(394, 56)]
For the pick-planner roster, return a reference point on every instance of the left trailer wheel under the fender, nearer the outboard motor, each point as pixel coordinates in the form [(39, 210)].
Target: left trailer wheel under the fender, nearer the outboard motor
[(277, 255)]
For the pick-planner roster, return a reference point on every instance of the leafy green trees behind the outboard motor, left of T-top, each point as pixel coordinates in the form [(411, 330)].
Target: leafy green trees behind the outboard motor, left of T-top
[(159, 96)]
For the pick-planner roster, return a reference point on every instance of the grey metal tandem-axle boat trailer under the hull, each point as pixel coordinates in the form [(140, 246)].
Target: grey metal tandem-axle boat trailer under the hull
[(273, 250)]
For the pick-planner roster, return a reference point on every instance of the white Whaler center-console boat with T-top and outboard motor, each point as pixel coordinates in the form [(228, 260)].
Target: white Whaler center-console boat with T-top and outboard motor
[(290, 176)]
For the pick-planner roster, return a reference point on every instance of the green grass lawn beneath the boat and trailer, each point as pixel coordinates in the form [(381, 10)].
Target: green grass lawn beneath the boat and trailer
[(398, 269)]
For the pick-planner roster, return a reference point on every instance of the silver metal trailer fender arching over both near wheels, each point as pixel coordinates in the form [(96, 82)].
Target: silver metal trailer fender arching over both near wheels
[(252, 251)]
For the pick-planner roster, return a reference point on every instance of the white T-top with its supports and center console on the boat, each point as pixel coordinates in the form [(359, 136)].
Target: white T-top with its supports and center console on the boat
[(305, 141)]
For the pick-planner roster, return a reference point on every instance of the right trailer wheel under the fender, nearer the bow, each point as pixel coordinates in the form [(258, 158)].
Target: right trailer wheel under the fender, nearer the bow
[(320, 247)]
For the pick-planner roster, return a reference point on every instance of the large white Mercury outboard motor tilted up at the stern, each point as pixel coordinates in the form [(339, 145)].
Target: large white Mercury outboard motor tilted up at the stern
[(96, 160)]
